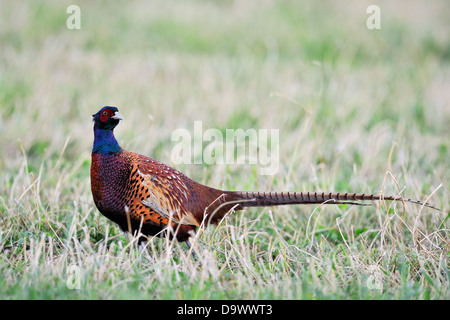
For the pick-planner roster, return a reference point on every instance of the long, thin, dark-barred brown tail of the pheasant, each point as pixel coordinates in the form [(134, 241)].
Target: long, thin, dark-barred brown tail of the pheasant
[(264, 199)]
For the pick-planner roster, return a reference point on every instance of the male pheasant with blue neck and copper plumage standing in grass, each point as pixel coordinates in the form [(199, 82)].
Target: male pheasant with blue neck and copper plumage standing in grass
[(142, 194)]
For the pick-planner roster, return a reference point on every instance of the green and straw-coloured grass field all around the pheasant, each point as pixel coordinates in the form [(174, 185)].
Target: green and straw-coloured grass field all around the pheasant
[(350, 104)]
